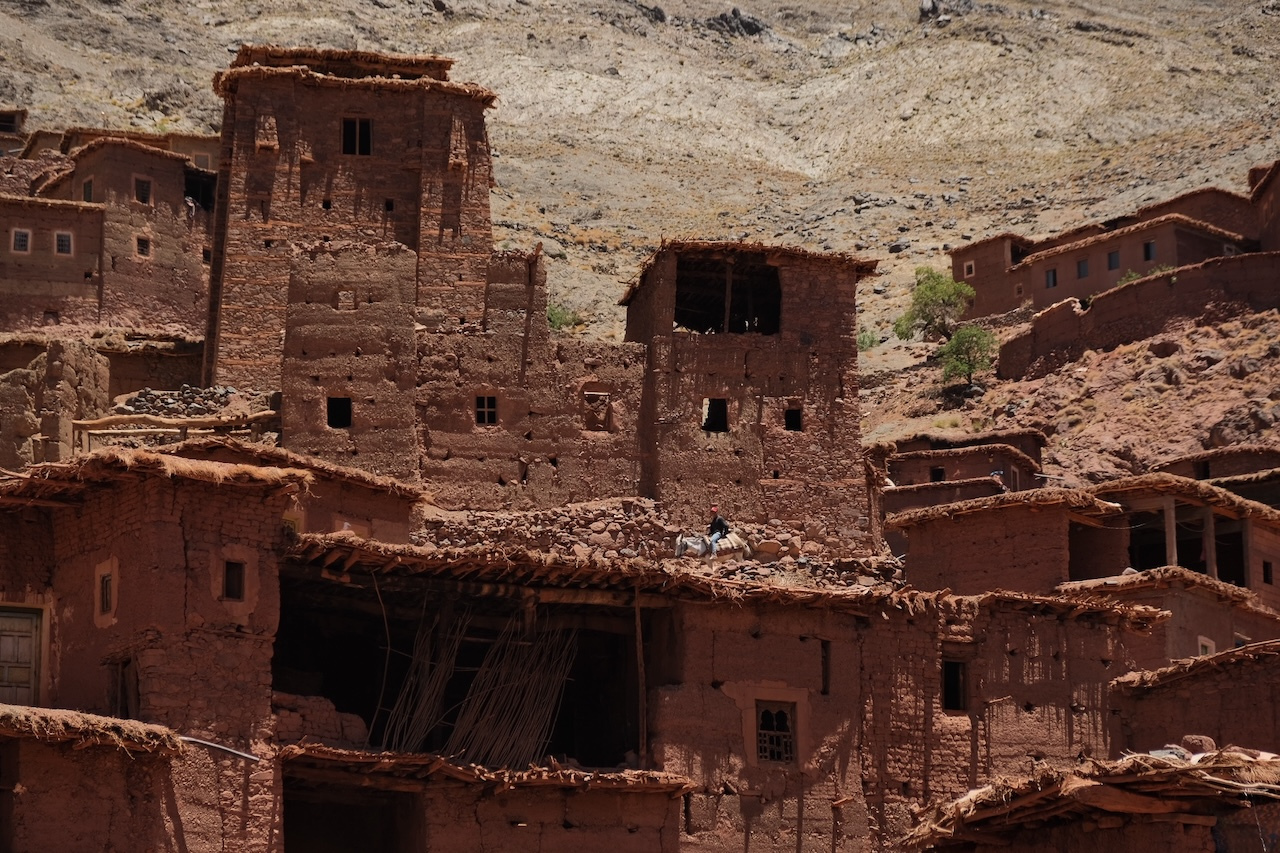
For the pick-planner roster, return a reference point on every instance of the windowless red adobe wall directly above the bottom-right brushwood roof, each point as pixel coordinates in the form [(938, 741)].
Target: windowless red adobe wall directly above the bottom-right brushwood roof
[(1235, 704)]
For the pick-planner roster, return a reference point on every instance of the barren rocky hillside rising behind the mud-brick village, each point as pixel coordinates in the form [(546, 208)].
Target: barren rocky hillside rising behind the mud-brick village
[(853, 126)]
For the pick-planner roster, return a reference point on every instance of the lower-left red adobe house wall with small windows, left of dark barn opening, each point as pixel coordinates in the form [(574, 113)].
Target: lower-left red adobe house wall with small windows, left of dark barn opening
[(203, 665)]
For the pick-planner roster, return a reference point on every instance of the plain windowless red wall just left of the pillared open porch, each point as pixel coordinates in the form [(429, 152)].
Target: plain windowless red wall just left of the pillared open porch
[(1014, 548)]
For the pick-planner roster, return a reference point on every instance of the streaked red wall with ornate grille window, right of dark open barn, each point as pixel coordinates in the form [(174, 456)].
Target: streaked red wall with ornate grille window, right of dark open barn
[(879, 740)]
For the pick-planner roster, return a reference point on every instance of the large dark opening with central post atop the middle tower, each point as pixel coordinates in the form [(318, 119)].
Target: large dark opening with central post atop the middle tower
[(743, 295)]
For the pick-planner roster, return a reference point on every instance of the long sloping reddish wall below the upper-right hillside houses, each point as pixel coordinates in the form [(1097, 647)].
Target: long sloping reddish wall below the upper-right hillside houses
[(1139, 311)]
